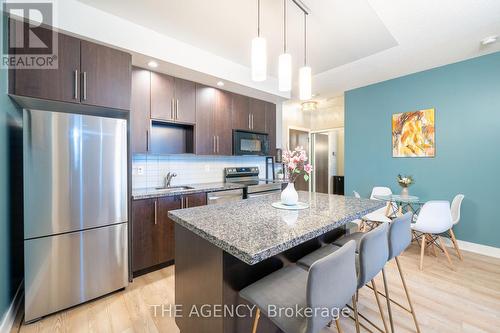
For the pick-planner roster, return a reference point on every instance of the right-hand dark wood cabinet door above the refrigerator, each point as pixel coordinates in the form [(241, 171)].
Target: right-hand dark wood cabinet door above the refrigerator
[(106, 76)]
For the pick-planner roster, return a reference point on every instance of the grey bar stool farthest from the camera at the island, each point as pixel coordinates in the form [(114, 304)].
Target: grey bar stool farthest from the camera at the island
[(399, 238)]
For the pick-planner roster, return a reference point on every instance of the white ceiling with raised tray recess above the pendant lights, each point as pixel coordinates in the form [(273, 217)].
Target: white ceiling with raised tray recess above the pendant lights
[(351, 43)]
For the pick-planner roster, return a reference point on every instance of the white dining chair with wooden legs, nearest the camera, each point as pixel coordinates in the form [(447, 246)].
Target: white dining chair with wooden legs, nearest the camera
[(433, 220)]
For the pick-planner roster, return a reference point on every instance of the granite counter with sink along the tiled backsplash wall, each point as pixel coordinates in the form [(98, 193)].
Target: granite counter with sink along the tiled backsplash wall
[(148, 193)]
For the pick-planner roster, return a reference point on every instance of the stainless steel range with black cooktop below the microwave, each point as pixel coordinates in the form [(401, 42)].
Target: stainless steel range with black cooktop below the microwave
[(249, 177)]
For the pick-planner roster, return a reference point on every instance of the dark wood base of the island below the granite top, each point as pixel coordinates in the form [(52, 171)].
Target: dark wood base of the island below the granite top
[(205, 275)]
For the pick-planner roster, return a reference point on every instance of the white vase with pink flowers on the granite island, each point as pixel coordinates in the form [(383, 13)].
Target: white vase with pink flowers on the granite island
[(296, 166)]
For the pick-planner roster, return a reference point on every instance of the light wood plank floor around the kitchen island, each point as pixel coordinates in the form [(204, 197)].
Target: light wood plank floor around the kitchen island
[(466, 299)]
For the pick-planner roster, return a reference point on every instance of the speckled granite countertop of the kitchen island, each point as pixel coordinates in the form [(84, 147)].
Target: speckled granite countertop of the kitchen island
[(252, 230)]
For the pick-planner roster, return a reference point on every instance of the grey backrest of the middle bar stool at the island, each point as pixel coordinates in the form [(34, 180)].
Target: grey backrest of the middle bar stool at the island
[(373, 253)]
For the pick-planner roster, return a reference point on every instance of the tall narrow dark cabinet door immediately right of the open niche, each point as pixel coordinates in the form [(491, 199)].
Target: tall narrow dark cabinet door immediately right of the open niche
[(205, 105)]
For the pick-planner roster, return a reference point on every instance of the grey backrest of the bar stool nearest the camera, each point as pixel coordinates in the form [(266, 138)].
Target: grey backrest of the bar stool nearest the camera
[(331, 284)]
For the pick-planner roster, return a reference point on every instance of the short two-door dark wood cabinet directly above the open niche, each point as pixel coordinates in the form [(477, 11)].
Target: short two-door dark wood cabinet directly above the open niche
[(172, 99)]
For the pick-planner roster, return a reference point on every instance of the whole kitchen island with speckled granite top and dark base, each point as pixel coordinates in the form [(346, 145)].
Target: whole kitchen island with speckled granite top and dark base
[(221, 249)]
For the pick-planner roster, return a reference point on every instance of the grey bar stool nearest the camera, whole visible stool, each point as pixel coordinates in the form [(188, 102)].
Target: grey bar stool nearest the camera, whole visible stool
[(329, 283)]
